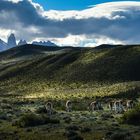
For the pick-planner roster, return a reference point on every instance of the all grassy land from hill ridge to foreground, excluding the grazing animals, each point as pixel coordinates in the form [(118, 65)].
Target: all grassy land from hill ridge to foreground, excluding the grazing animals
[(31, 75)]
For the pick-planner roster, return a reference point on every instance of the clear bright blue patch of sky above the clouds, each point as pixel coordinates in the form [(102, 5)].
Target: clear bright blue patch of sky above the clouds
[(71, 4)]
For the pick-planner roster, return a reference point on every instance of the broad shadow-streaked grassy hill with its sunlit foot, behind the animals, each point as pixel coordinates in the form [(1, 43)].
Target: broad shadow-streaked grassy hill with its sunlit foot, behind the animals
[(102, 71)]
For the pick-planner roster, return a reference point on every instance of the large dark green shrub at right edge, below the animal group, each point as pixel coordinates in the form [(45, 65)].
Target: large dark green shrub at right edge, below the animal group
[(132, 116)]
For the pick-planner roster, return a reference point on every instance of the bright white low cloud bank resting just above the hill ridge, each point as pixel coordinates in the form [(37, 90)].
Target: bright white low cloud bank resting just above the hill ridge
[(83, 40)]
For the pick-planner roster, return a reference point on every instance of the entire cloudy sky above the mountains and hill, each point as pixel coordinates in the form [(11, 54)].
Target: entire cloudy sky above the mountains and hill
[(86, 23)]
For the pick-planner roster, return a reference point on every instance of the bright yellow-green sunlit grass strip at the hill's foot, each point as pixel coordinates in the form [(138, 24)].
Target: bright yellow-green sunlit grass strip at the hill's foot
[(82, 93)]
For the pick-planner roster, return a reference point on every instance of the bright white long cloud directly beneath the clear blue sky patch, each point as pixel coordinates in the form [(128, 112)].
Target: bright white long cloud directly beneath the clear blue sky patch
[(96, 11)]
